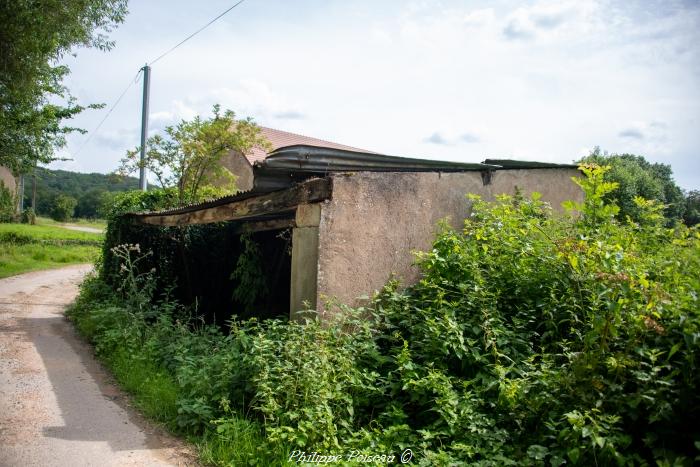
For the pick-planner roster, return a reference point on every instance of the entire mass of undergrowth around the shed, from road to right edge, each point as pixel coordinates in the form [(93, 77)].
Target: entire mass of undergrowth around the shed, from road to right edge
[(531, 339)]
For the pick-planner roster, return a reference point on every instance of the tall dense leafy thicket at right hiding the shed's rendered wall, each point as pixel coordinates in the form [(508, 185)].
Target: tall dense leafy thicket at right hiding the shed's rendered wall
[(534, 338)]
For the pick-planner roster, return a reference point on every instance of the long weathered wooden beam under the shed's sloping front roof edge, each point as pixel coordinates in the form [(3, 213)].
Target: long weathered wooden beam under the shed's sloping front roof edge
[(281, 201)]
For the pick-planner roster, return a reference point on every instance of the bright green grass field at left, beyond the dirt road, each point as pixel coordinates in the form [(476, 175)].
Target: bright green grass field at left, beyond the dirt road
[(25, 248)]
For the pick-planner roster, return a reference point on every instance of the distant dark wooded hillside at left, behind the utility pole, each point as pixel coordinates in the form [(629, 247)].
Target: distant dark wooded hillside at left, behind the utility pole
[(90, 190)]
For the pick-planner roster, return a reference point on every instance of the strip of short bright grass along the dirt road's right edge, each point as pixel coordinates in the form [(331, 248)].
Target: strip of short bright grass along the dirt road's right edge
[(127, 350)]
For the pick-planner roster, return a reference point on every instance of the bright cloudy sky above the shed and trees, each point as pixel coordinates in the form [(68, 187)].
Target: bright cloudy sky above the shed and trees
[(451, 80)]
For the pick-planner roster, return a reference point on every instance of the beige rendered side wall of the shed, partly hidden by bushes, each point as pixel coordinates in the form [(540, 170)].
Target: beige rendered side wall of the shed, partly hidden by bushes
[(374, 221)]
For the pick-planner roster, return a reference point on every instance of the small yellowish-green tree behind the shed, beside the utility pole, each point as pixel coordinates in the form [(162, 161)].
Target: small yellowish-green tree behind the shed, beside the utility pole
[(189, 156)]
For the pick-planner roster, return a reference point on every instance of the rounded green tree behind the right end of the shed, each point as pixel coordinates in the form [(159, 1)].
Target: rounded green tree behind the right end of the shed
[(635, 177)]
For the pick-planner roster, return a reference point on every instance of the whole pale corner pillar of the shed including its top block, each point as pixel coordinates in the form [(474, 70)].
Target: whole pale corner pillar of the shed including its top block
[(303, 290)]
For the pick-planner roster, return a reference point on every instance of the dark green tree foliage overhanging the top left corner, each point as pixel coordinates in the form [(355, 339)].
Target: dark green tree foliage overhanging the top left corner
[(34, 36)]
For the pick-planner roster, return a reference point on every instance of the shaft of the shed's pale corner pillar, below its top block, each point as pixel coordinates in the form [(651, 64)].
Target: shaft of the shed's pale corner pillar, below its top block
[(303, 290)]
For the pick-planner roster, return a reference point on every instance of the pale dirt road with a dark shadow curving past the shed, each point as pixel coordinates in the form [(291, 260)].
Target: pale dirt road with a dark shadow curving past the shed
[(58, 407)]
